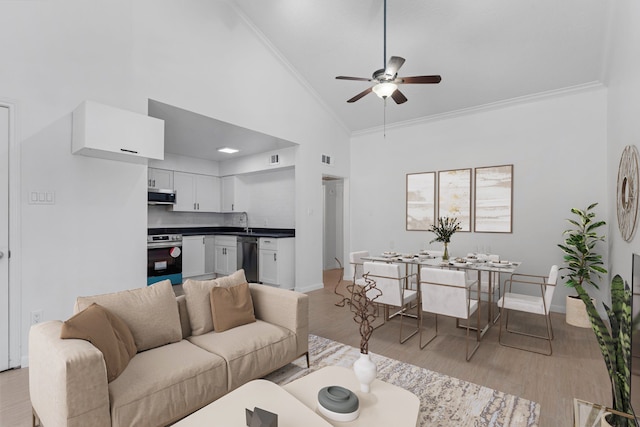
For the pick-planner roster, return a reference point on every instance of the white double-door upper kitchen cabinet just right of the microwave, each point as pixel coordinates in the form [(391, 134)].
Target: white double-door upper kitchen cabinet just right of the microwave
[(196, 193)]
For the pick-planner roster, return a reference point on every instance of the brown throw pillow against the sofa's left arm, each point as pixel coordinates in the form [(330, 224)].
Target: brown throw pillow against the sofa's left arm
[(107, 332)]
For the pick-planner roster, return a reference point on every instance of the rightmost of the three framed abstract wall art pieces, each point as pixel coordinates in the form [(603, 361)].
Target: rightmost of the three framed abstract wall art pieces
[(494, 199)]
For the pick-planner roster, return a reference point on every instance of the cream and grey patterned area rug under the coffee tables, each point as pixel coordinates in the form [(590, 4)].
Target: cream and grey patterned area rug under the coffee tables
[(444, 400)]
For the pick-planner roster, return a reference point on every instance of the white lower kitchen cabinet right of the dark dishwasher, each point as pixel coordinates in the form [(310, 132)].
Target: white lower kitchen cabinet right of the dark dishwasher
[(276, 262)]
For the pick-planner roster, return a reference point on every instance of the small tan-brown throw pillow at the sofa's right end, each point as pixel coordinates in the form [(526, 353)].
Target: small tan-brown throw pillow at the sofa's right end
[(231, 306)]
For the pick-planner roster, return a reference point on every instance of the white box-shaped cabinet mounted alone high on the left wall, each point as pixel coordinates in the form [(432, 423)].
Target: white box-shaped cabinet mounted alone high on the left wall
[(112, 133)]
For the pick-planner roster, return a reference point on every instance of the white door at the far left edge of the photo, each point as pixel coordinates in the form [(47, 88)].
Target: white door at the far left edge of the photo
[(4, 238)]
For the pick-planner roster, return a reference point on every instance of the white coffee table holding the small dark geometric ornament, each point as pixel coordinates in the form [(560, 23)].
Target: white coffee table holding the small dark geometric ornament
[(229, 410)]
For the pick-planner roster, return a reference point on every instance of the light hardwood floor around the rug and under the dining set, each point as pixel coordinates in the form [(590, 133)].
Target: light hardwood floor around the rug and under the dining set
[(575, 369)]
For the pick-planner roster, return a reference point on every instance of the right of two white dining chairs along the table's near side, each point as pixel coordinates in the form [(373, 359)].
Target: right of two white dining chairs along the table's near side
[(448, 292)]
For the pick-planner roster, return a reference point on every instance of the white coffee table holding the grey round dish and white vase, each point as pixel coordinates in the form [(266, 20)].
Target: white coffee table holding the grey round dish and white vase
[(386, 405)]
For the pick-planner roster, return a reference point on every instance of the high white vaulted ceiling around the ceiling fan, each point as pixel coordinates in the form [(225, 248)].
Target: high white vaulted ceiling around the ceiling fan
[(487, 51)]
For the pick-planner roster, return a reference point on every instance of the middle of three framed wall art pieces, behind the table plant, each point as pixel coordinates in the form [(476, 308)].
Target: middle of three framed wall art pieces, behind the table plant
[(454, 196)]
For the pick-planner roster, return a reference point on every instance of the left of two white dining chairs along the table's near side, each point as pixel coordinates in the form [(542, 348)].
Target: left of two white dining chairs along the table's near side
[(393, 285)]
